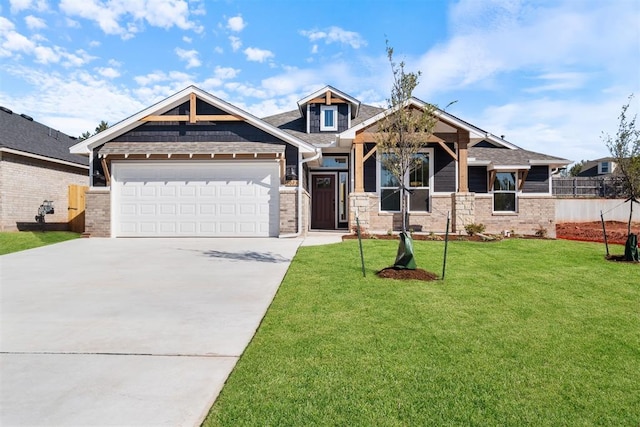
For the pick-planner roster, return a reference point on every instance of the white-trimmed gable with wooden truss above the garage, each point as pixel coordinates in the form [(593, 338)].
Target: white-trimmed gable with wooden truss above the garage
[(169, 110)]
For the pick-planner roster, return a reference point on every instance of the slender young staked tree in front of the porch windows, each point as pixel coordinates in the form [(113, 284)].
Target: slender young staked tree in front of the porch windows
[(404, 131)]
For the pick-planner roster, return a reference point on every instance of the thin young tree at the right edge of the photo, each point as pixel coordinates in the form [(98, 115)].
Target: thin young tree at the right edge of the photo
[(625, 149)]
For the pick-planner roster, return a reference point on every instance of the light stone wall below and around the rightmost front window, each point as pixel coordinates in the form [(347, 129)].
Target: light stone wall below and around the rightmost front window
[(534, 213)]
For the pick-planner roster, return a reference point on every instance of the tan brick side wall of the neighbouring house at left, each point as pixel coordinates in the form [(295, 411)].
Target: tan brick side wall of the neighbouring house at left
[(25, 183)]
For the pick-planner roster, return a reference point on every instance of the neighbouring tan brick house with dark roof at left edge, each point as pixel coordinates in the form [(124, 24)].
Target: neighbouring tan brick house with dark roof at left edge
[(35, 165)]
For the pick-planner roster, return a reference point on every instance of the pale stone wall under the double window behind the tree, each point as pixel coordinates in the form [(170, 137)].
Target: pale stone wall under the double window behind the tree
[(374, 221)]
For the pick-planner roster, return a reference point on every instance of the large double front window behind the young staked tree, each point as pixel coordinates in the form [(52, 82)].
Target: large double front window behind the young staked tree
[(416, 181)]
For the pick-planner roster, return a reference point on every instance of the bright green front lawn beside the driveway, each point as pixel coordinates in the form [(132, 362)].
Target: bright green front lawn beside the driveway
[(521, 332)]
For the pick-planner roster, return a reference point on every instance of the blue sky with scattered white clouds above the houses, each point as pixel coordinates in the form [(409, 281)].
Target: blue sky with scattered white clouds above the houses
[(549, 75)]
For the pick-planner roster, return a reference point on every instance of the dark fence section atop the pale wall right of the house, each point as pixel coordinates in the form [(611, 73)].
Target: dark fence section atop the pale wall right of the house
[(607, 187)]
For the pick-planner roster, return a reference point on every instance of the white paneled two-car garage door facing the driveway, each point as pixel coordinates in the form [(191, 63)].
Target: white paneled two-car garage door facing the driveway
[(213, 199)]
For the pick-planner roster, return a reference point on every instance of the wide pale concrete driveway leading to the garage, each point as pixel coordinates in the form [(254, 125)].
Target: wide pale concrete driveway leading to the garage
[(129, 331)]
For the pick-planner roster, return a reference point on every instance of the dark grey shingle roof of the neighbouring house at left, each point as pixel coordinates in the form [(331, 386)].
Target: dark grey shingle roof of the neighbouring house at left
[(21, 133)]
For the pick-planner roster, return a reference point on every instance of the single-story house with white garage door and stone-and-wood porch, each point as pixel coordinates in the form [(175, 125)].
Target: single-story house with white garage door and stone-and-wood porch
[(195, 165)]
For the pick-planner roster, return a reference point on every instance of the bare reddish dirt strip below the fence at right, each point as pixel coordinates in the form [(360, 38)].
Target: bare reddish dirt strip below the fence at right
[(592, 231)]
